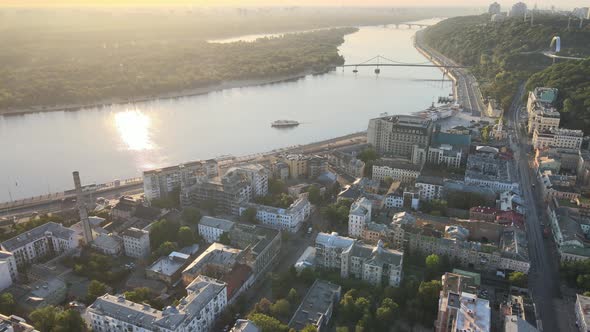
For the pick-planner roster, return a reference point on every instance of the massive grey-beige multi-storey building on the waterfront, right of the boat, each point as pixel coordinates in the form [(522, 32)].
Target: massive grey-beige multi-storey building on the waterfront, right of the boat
[(397, 135)]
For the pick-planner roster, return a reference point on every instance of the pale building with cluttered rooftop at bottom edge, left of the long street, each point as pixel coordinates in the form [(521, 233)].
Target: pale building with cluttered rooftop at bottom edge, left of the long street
[(459, 307)]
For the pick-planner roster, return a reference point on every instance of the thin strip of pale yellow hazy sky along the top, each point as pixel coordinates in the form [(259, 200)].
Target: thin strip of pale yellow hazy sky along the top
[(406, 3)]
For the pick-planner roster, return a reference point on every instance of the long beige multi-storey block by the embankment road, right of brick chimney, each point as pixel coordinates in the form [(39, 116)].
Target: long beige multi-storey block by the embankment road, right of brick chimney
[(158, 183)]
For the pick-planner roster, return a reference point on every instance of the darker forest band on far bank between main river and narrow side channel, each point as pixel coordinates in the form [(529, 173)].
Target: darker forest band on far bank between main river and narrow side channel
[(88, 73)]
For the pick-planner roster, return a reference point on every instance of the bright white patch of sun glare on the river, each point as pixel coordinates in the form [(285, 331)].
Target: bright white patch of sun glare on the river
[(134, 129)]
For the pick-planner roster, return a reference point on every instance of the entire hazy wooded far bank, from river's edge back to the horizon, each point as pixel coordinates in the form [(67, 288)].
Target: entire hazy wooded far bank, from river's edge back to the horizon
[(53, 60)]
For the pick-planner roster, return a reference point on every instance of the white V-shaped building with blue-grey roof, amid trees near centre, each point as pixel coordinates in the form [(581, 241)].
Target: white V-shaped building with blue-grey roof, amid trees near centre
[(289, 219)]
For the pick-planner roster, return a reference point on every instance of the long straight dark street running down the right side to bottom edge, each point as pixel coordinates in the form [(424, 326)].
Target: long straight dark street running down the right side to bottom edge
[(543, 275)]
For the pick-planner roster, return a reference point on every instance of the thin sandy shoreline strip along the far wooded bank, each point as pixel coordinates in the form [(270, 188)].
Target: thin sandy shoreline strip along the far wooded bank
[(170, 95)]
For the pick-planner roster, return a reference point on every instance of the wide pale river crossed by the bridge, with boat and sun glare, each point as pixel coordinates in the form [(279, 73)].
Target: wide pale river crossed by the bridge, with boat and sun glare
[(40, 150)]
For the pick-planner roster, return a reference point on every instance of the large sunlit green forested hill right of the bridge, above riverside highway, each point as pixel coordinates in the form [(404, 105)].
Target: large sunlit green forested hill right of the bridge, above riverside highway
[(504, 54)]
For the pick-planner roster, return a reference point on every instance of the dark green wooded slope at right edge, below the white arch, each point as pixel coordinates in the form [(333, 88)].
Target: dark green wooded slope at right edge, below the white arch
[(572, 78)]
